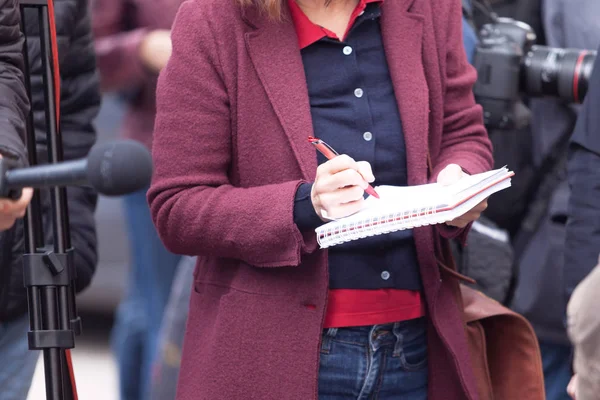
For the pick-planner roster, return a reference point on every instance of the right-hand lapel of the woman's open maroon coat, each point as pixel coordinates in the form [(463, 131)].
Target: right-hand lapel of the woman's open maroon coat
[(402, 33)]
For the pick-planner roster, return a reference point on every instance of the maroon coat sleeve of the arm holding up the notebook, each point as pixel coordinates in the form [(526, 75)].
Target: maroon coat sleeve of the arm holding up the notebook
[(464, 139)]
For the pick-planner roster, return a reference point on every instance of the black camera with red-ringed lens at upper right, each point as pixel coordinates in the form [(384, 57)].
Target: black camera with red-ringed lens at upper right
[(510, 65)]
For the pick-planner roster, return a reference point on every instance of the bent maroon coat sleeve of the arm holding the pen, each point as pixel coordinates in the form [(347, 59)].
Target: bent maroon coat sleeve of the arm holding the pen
[(194, 205)]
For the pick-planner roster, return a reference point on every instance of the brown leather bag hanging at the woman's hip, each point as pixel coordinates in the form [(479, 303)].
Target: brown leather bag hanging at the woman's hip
[(505, 352)]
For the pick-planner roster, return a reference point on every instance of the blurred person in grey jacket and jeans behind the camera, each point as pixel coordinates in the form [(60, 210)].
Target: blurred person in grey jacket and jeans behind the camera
[(543, 273)]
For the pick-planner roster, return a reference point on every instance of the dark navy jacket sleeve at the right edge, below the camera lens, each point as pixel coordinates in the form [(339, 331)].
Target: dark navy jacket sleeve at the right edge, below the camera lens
[(583, 226)]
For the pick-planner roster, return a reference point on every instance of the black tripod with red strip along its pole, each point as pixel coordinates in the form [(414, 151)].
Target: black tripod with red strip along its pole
[(49, 271)]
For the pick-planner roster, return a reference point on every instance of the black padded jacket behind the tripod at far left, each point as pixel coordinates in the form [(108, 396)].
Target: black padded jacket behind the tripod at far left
[(80, 101)]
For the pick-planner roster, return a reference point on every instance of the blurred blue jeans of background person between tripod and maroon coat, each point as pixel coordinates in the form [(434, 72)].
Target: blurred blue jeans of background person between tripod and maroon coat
[(138, 319)]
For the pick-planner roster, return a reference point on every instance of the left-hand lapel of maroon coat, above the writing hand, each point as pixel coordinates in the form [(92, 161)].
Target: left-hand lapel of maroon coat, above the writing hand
[(281, 73)]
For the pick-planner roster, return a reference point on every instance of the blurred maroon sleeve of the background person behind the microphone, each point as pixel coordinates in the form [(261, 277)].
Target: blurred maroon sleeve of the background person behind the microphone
[(117, 46)]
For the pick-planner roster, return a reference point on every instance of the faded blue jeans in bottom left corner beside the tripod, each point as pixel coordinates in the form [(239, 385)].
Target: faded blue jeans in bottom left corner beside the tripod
[(18, 363)]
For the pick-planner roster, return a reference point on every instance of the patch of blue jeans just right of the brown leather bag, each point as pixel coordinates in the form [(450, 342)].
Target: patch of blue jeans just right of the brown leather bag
[(556, 359)]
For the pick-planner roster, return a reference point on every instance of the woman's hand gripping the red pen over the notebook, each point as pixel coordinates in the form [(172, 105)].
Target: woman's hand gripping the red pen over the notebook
[(339, 187)]
